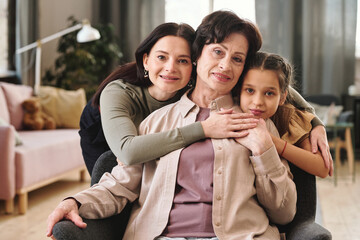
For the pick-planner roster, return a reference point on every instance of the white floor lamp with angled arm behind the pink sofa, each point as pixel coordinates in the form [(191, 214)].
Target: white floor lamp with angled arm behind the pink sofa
[(86, 34)]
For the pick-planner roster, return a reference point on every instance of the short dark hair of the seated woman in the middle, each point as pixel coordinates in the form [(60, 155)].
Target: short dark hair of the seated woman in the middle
[(218, 25)]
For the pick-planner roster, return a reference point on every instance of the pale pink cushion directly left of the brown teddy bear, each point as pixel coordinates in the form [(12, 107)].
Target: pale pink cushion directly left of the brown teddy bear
[(15, 95)]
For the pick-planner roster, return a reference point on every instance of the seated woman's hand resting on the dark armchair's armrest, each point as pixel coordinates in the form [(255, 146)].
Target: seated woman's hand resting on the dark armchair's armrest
[(67, 209)]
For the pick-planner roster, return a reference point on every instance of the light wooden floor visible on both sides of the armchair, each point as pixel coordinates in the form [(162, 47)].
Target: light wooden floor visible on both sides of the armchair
[(339, 211)]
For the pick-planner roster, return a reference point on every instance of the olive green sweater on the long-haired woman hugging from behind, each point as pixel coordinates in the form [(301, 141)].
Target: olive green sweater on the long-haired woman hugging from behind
[(124, 106)]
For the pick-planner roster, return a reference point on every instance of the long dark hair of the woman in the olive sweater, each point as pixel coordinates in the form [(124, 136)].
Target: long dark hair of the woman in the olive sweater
[(133, 72)]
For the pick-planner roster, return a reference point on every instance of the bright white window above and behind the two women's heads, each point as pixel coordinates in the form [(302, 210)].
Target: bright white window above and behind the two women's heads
[(193, 11)]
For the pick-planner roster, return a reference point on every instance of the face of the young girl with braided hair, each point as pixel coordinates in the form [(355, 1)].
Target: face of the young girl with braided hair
[(260, 93)]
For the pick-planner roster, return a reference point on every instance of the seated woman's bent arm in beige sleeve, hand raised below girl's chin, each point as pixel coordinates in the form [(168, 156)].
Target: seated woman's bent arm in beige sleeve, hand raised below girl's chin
[(275, 189)]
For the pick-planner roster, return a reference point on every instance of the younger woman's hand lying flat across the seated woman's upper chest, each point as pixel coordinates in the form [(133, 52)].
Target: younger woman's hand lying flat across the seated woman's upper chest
[(228, 124)]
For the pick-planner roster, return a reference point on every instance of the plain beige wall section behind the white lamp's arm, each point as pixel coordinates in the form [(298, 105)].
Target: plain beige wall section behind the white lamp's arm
[(53, 15)]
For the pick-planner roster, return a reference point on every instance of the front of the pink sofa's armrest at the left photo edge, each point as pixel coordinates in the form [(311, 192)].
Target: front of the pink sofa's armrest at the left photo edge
[(7, 162)]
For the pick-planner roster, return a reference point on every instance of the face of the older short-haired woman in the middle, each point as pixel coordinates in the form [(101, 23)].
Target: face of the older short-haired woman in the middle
[(220, 64)]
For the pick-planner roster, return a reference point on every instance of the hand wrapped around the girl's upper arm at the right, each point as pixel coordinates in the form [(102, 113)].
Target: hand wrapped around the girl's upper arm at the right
[(318, 141)]
